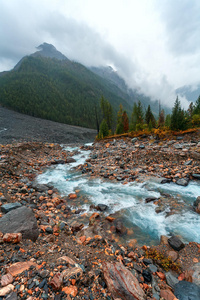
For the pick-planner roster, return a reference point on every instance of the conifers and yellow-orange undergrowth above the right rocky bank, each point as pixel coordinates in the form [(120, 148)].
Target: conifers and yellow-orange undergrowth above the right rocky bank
[(144, 121)]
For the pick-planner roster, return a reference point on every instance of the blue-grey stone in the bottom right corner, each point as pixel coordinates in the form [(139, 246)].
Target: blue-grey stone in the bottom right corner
[(185, 290)]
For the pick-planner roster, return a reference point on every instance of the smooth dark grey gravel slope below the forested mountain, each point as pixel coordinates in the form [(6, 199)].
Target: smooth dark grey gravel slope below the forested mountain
[(17, 127)]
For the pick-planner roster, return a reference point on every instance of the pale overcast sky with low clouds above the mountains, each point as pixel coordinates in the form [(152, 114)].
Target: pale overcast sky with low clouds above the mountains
[(153, 44)]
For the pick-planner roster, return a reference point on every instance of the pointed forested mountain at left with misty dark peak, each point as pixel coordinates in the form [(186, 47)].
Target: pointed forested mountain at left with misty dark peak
[(46, 84)]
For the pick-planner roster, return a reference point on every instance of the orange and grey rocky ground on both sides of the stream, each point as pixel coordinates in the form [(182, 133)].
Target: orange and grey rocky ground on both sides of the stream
[(59, 251)]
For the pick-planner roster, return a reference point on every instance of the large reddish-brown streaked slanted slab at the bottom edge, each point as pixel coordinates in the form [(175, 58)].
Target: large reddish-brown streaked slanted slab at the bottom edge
[(121, 282)]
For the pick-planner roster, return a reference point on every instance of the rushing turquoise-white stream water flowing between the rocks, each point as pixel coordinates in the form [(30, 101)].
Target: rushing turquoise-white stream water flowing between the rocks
[(129, 201)]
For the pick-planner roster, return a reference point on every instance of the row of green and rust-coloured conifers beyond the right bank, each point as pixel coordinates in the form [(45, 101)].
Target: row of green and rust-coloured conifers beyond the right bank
[(141, 119)]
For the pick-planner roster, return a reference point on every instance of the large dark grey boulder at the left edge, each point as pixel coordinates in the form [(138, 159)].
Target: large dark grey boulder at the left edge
[(20, 220)]
